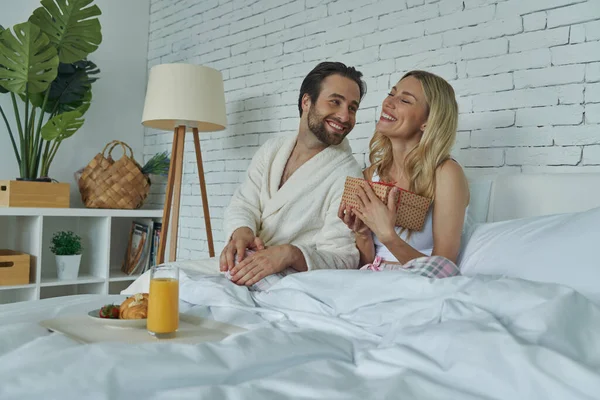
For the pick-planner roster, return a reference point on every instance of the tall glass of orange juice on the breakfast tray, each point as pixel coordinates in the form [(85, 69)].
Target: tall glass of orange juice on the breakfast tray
[(163, 302)]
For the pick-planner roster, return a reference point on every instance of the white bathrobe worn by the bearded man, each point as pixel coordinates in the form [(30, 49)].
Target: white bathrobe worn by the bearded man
[(303, 212)]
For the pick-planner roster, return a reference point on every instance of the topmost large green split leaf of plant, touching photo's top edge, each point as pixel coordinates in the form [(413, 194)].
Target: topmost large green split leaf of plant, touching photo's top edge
[(70, 27)]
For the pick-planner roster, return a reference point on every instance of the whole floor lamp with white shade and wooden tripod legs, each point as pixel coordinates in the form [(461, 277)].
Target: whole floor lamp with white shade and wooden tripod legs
[(182, 98)]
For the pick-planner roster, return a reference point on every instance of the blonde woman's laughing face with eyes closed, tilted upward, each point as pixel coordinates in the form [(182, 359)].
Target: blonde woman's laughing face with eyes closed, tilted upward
[(404, 111)]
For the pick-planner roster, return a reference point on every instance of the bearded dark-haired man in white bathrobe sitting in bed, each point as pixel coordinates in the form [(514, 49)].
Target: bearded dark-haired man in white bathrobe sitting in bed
[(286, 210)]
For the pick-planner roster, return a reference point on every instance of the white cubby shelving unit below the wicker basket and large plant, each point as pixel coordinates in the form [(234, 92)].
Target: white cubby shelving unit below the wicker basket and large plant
[(104, 236)]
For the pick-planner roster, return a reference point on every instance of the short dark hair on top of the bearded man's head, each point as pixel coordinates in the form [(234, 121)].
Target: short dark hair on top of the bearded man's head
[(312, 83)]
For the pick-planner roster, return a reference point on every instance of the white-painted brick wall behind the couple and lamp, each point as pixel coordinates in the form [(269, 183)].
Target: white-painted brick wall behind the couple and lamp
[(526, 73)]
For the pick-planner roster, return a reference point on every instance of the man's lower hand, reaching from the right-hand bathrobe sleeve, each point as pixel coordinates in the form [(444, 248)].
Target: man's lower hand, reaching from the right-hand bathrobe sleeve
[(261, 264)]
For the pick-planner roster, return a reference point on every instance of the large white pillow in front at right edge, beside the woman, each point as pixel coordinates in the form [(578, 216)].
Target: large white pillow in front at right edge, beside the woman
[(558, 248)]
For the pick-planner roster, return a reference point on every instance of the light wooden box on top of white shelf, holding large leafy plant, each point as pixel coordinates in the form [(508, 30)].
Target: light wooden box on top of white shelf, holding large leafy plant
[(34, 194)]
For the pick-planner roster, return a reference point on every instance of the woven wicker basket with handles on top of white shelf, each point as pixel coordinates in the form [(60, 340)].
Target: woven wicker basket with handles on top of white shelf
[(106, 183)]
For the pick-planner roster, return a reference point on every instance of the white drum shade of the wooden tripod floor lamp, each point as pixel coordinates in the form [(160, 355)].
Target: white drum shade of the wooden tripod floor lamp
[(185, 94)]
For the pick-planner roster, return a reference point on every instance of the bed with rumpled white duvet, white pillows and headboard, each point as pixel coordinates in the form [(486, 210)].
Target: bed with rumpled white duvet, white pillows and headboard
[(521, 323)]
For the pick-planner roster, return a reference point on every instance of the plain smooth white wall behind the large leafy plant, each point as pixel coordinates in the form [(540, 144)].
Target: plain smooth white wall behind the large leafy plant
[(118, 95)]
